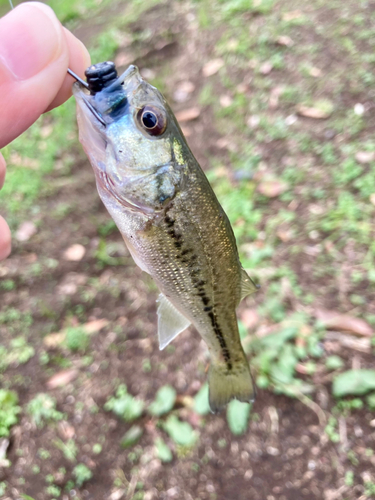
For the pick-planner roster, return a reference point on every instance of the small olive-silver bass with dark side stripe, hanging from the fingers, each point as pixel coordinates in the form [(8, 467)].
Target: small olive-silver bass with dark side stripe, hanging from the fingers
[(169, 217)]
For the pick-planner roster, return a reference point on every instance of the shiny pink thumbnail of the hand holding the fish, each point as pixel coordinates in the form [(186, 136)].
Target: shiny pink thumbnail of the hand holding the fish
[(30, 38)]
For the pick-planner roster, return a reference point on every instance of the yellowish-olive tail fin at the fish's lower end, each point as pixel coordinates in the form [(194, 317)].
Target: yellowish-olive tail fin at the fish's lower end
[(226, 384)]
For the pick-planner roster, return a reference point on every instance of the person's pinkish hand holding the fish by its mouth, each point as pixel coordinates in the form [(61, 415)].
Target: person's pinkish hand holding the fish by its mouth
[(35, 53)]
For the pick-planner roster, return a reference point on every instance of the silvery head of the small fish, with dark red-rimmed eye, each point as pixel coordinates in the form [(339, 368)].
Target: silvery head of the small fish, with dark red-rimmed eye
[(132, 140)]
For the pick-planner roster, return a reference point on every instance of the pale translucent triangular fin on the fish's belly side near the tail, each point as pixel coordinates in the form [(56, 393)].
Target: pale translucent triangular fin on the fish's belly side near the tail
[(170, 323)]
